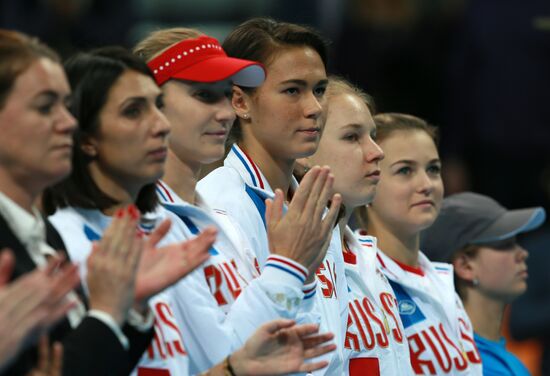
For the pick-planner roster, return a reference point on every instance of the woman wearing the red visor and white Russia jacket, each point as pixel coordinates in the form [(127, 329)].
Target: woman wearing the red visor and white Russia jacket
[(230, 298)]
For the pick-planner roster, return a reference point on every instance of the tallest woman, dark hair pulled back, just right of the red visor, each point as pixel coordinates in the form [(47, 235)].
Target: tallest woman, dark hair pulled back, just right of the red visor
[(277, 123)]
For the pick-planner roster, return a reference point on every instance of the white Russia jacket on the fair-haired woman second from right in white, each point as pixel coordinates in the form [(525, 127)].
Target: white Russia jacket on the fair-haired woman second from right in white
[(375, 342)]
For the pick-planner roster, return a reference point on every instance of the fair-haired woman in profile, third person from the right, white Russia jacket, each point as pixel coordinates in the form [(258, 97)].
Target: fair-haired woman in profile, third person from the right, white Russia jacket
[(375, 343)]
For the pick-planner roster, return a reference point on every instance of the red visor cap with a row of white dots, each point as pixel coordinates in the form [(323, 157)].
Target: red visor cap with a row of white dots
[(202, 59)]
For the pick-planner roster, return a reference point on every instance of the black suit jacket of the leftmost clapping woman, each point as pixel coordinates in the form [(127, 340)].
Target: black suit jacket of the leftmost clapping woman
[(91, 348)]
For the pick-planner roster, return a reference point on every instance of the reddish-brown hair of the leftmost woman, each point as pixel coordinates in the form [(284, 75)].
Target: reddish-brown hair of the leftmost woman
[(18, 52)]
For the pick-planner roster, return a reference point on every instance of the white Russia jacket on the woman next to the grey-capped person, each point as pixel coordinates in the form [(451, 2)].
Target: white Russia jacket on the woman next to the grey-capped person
[(438, 329)]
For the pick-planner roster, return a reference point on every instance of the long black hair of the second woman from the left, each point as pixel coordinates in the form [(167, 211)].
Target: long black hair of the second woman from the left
[(91, 76)]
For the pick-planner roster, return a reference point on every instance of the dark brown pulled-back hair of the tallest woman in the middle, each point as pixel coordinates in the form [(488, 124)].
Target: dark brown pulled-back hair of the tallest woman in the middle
[(261, 39)]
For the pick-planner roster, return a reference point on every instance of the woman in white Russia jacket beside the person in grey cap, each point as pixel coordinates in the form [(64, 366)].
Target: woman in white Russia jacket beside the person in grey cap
[(408, 199)]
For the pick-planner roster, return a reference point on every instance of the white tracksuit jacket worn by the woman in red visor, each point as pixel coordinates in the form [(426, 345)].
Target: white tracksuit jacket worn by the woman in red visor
[(224, 301)]
